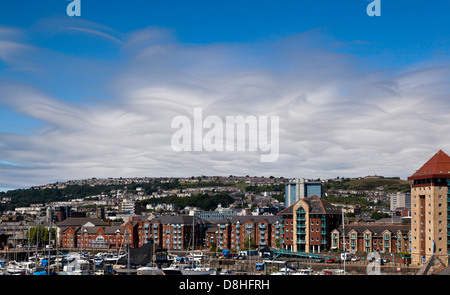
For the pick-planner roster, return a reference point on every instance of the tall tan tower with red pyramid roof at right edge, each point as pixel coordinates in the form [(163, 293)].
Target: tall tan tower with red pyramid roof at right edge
[(430, 197)]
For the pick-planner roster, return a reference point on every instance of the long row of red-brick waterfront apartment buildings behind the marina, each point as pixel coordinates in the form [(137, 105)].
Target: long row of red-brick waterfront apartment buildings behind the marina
[(311, 225)]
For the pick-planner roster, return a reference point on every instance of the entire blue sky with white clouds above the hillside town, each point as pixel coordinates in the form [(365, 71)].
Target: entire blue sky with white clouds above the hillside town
[(93, 96)]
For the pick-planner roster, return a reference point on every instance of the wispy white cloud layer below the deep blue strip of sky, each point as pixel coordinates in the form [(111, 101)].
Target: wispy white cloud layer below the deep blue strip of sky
[(110, 116)]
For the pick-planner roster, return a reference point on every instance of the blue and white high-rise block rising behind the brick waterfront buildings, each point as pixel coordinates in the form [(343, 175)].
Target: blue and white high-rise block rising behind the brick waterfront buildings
[(301, 188)]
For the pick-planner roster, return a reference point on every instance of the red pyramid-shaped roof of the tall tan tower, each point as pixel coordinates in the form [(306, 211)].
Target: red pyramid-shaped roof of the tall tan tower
[(436, 167)]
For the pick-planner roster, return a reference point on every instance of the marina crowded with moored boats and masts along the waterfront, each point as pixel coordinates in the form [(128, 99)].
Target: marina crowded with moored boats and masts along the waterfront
[(178, 263)]
